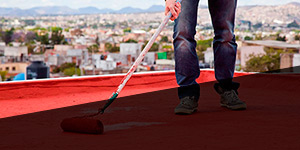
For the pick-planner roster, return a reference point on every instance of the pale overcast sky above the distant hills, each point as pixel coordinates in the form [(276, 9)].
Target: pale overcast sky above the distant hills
[(117, 4)]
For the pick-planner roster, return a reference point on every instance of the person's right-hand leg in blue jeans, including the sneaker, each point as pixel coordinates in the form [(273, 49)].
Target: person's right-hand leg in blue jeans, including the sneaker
[(224, 45)]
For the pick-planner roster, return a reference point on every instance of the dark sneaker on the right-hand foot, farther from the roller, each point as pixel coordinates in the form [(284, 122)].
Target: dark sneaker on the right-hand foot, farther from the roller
[(230, 99)]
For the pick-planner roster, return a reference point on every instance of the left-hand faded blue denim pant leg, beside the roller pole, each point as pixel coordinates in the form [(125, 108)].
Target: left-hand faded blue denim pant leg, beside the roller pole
[(186, 59)]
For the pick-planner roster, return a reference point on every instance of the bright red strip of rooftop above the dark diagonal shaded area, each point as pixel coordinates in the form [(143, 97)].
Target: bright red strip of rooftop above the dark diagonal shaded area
[(27, 97)]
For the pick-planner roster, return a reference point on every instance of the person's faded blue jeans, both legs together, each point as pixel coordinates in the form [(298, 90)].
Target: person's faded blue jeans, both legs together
[(186, 61)]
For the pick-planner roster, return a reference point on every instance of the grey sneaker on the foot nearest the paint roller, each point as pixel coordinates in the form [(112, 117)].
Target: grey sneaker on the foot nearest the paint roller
[(187, 106)]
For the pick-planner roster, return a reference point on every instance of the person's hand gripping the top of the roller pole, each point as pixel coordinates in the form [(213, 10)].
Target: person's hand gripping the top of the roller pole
[(174, 7)]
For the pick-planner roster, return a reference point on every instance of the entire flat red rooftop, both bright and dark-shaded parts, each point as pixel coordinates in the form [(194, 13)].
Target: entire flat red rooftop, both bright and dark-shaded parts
[(142, 117)]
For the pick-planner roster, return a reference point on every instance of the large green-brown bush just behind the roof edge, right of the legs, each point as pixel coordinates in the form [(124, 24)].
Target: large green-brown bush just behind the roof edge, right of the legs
[(264, 62)]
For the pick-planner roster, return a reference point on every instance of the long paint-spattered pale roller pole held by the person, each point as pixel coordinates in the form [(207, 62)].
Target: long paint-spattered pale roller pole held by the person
[(138, 61)]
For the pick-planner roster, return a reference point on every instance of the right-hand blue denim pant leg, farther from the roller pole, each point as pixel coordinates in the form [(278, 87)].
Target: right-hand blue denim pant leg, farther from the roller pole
[(224, 45)]
